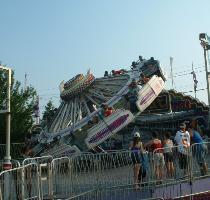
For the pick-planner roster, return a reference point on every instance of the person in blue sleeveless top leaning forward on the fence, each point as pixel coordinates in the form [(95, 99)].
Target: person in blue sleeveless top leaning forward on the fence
[(200, 149)]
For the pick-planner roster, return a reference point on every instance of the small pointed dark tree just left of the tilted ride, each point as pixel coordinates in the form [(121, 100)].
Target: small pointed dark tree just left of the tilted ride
[(48, 113)]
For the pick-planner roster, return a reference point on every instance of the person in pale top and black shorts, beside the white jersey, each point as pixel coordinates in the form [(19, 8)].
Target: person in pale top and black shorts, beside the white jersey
[(168, 154)]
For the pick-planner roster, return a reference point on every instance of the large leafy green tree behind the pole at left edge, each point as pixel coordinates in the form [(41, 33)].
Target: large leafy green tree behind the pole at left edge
[(22, 103)]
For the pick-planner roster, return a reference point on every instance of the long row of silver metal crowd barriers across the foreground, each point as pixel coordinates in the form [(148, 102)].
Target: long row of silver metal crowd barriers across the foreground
[(107, 176)]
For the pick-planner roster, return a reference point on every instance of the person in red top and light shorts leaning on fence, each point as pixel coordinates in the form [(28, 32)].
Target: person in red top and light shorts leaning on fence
[(157, 148)]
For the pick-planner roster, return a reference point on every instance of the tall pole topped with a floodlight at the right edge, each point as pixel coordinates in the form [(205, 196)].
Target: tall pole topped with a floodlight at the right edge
[(203, 37)]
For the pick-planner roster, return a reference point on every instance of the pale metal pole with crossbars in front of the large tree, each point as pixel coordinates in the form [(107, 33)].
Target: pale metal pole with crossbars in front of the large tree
[(7, 159)]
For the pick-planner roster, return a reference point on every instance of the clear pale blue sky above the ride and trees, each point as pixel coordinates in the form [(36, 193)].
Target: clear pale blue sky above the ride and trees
[(53, 40)]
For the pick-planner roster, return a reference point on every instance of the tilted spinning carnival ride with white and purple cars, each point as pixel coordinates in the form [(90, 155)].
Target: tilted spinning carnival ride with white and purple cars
[(82, 97)]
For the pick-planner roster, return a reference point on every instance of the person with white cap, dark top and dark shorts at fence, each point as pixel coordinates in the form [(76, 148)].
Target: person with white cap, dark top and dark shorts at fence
[(136, 156)]
